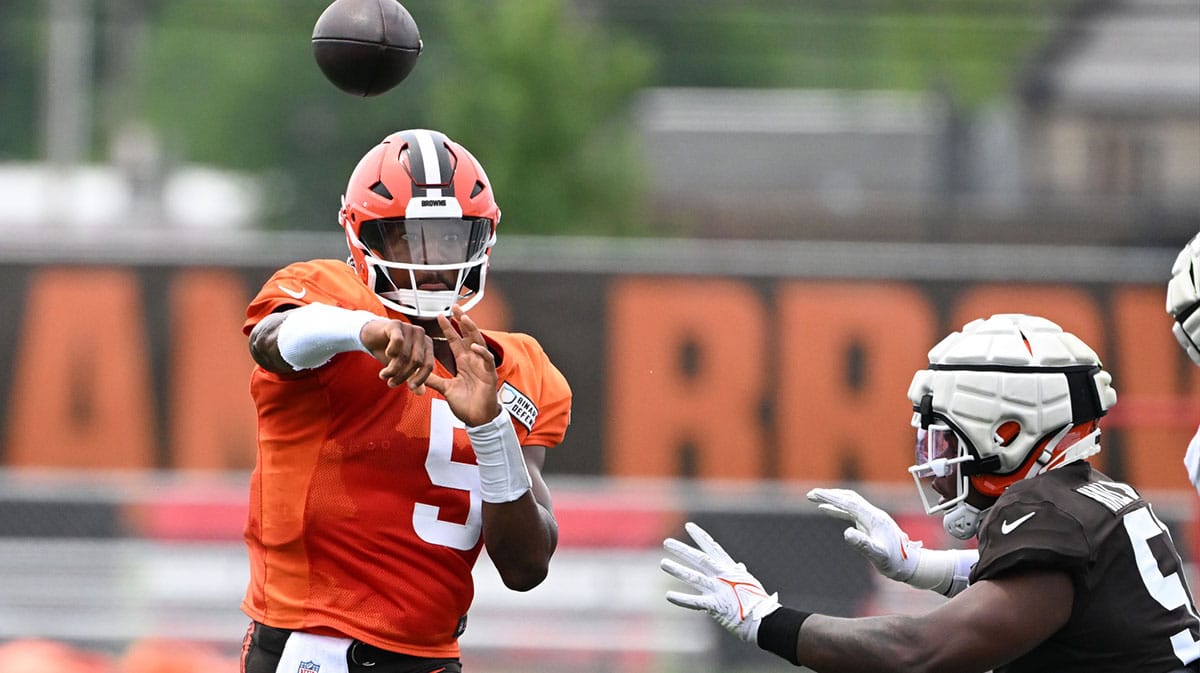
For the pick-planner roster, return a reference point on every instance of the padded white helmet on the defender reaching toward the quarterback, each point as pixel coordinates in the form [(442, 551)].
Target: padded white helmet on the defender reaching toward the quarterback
[(1004, 400)]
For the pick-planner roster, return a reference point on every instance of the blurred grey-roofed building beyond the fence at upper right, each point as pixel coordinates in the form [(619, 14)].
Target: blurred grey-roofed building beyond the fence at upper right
[(1100, 143)]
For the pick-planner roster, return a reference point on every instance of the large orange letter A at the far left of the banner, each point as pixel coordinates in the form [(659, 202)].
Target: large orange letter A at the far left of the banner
[(81, 386)]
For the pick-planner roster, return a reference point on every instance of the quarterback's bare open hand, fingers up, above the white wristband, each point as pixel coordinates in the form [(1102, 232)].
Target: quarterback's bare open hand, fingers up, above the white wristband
[(472, 393)]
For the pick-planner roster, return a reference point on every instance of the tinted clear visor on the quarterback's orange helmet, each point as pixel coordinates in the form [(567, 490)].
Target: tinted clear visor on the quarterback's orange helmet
[(446, 243)]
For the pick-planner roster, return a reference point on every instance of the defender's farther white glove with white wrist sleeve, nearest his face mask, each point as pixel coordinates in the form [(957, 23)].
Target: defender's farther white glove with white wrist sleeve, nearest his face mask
[(877, 537)]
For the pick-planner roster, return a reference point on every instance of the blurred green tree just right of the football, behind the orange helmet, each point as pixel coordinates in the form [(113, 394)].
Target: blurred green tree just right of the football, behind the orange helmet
[(544, 101)]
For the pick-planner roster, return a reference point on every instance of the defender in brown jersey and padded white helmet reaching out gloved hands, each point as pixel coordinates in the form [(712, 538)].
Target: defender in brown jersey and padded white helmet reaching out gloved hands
[(1075, 574)]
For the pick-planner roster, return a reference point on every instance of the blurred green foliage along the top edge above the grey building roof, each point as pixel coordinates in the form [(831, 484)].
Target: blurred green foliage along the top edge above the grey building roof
[(974, 49)]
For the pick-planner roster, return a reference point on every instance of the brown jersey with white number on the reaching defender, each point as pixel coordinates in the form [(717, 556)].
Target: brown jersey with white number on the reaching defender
[(1133, 610)]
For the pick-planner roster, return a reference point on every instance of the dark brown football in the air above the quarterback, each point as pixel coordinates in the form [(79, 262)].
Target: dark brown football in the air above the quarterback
[(367, 47)]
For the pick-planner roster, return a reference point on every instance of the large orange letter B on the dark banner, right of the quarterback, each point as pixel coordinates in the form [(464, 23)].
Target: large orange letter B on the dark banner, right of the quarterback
[(686, 376)]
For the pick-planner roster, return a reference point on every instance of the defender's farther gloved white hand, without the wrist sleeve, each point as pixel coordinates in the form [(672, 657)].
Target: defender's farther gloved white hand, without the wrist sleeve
[(875, 534)]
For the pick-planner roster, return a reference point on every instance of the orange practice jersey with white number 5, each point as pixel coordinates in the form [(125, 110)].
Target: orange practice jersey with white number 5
[(365, 515)]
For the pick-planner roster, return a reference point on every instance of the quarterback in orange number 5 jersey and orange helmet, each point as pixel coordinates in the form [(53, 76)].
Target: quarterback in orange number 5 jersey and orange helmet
[(395, 437)]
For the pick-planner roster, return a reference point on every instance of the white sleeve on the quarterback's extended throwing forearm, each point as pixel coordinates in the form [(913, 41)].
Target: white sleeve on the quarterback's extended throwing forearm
[(311, 335)]
